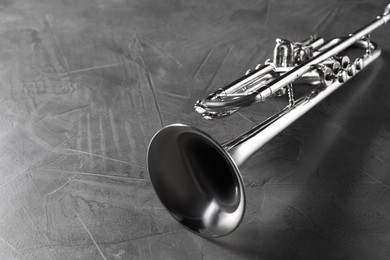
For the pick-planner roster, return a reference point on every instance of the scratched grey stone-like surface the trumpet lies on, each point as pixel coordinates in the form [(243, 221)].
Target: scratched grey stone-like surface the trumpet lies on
[(85, 85)]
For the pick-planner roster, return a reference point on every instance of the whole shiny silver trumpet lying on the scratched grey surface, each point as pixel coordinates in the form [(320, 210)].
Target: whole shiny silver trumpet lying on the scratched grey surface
[(197, 179)]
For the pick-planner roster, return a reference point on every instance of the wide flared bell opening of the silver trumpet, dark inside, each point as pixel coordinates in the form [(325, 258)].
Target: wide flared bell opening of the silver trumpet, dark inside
[(196, 180)]
